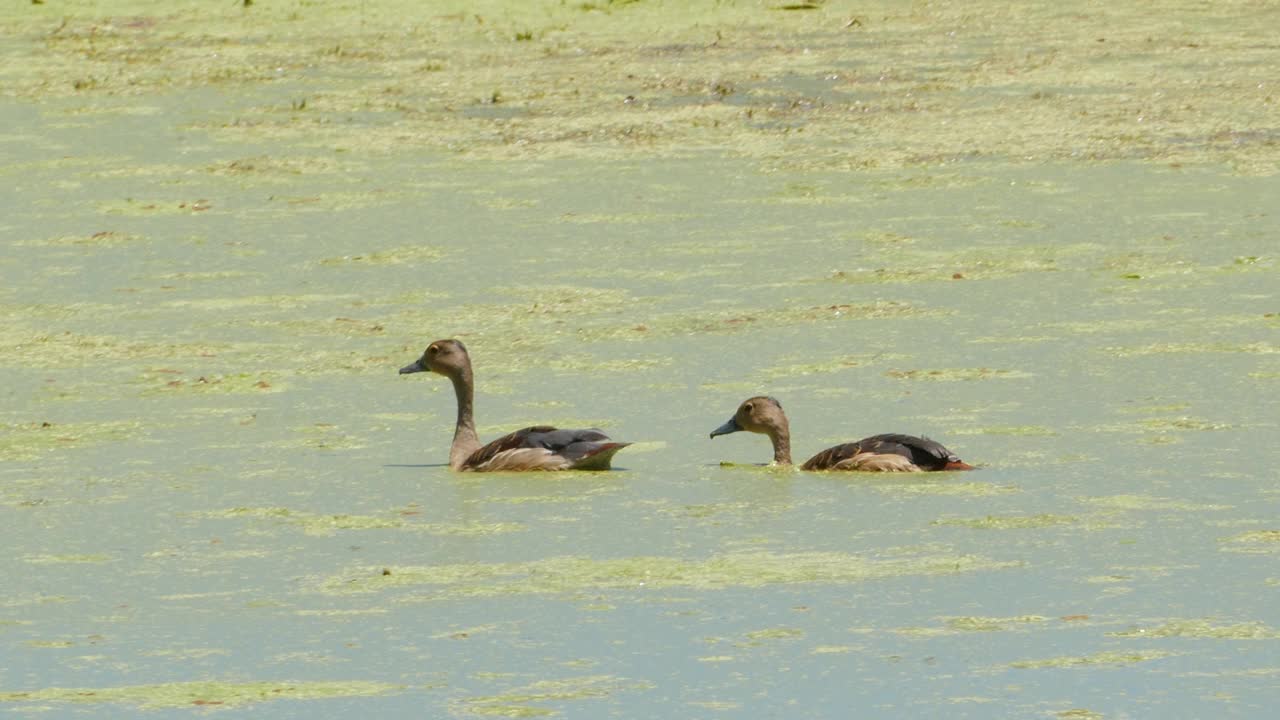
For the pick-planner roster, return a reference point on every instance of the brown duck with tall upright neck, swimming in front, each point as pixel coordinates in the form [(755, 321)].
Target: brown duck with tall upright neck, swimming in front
[(540, 448)]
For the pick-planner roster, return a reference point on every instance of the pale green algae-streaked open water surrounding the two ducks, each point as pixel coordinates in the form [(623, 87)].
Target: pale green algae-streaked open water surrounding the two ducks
[(218, 493)]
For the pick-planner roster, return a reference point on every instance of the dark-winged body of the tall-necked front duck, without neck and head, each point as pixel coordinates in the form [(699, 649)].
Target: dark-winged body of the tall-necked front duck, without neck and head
[(543, 448)]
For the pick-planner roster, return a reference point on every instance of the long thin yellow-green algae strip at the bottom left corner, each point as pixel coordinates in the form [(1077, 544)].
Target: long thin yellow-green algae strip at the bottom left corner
[(186, 695)]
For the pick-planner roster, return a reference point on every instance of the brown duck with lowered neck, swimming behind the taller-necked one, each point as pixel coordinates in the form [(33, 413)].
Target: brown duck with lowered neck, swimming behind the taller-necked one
[(888, 453)]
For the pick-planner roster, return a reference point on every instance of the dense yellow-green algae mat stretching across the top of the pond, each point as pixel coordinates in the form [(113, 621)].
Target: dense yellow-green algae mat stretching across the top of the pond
[(1052, 81)]
